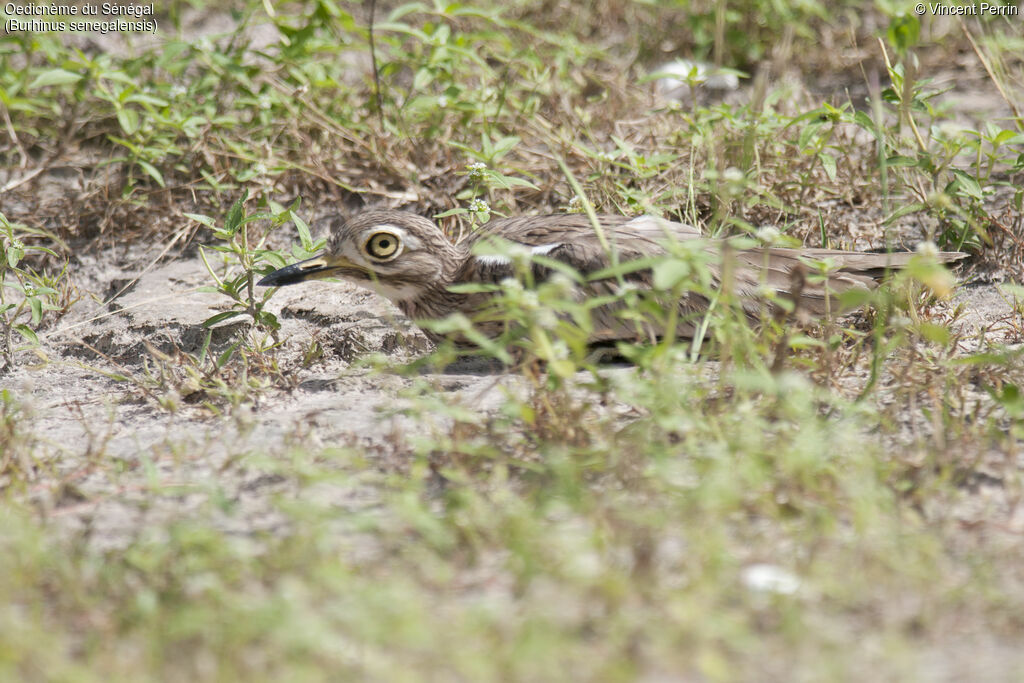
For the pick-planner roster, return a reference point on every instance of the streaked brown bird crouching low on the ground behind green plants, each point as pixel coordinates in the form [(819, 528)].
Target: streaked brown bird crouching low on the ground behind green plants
[(407, 259)]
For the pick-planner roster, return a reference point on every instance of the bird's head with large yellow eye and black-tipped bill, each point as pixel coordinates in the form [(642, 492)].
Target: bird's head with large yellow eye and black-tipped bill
[(398, 254)]
